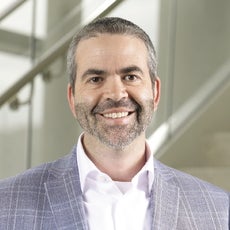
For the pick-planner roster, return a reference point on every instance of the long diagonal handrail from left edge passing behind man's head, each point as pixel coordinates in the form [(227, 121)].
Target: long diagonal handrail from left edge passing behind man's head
[(55, 51)]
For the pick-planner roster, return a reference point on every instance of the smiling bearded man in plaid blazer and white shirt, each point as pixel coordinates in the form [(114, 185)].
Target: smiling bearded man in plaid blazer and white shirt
[(111, 180)]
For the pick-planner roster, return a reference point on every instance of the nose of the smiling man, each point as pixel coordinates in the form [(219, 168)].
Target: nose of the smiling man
[(115, 89)]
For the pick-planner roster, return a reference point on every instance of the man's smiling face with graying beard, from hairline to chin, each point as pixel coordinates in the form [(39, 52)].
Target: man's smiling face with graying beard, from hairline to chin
[(114, 99)]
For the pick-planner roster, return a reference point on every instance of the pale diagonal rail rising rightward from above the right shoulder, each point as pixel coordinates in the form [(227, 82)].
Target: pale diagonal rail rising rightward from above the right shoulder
[(187, 113)]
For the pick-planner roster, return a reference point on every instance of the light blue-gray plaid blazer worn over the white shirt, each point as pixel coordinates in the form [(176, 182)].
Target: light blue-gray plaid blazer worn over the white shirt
[(49, 197)]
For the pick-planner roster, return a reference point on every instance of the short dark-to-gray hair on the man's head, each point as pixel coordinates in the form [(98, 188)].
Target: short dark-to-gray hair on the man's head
[(110, 25)]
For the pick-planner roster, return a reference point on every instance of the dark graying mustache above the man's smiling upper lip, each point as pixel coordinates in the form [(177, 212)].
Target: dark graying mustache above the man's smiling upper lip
[(110, 104)]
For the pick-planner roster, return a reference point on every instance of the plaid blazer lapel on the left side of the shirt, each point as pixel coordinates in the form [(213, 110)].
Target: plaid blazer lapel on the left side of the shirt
[(65, 197)]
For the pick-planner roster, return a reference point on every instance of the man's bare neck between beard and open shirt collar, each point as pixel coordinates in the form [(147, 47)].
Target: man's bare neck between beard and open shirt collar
[(120, 165)]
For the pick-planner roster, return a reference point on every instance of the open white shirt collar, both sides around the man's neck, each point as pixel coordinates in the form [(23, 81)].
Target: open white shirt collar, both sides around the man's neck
[(86, 167)]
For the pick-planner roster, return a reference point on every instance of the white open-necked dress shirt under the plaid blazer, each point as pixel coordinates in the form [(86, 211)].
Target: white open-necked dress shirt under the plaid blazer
[(114, 205)]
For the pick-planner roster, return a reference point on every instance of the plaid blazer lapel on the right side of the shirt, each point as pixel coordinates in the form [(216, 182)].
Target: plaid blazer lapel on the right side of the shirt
[(164, 203)]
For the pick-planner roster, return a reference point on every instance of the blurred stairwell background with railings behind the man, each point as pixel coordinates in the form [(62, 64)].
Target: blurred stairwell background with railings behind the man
[(191, 130)]
